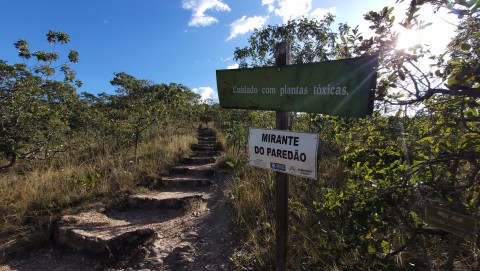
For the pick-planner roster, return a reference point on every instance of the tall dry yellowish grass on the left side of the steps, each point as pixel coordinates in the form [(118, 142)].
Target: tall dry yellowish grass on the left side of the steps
[(34, 194)]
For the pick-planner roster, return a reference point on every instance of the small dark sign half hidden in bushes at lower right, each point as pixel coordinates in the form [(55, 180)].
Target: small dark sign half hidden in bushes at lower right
[(463, 226)]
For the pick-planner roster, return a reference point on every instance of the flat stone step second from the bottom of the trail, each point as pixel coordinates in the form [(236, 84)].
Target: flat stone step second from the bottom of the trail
[(166, 200)]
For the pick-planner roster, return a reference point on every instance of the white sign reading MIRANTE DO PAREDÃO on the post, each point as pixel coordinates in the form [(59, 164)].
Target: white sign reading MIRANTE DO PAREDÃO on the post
[(288, 152)]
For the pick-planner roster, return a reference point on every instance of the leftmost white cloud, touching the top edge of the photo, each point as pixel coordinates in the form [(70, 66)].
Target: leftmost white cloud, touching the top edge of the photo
[(199, 7)]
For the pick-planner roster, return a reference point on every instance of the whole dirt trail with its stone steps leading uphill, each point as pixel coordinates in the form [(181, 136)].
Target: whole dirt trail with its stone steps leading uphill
[(184, 224)]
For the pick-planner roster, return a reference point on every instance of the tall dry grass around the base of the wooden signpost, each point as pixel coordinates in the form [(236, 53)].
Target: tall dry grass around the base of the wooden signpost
[(310, 243)]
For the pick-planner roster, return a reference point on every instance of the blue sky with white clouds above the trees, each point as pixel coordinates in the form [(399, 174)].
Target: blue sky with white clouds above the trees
[(181, 41)]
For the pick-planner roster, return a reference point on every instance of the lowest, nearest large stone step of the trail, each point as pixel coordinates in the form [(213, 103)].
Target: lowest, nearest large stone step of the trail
[(103, 237)]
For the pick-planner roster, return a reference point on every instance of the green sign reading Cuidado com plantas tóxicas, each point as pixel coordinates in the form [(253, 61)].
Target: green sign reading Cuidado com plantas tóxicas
[(341, 87)]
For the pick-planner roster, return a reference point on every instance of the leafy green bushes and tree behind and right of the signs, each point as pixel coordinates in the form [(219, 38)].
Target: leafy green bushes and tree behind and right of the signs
[(366, 210)]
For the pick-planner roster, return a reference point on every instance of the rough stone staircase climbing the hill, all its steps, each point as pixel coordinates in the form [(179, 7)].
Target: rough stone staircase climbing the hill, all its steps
[(158, 226)]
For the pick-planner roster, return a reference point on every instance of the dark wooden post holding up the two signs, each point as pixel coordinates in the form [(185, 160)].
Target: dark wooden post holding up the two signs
[(283, 122)]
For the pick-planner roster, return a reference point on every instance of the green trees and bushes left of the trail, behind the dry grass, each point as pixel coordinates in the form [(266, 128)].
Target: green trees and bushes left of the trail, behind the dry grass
[(41, 118)]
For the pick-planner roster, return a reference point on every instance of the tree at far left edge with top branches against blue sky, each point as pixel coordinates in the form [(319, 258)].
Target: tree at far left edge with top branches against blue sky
[(34, 109)]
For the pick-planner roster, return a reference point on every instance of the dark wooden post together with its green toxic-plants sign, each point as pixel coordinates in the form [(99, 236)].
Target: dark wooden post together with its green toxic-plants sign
[(341, 88)]
